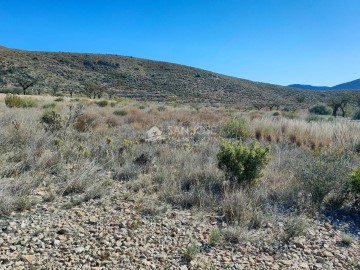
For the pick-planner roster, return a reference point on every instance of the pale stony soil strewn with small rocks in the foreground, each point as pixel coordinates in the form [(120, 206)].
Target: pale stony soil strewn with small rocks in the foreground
[(110, 233)]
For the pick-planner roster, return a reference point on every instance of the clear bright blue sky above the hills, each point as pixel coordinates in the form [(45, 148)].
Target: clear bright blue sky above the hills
[(277, 41)]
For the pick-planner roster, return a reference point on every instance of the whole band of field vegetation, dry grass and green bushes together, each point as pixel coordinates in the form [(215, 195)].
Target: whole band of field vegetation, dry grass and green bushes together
[(253, 167)]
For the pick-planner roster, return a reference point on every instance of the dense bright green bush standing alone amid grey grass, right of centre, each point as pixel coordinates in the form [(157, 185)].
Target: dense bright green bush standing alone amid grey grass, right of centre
[(242, 163)]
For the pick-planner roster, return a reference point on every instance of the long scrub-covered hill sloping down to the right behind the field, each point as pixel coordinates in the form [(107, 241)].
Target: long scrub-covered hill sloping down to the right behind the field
[(64, 73)]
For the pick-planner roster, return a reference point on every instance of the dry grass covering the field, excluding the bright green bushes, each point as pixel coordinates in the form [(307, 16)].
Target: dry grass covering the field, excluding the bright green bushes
[(95, 147)]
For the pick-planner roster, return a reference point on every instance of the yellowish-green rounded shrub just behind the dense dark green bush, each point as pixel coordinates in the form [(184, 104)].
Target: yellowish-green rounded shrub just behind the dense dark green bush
[(235, 128)]
